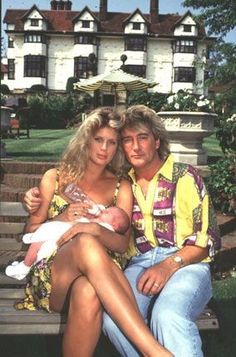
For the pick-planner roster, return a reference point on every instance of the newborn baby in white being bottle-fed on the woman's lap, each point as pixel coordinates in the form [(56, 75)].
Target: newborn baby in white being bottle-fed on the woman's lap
[(44, 240)]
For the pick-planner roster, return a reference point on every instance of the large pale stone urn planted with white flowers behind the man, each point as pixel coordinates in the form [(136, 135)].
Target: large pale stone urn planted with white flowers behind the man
[(189, 118)]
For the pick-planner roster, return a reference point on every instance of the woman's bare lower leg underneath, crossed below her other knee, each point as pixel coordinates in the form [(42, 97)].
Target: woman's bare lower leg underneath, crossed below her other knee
[(84, 320)]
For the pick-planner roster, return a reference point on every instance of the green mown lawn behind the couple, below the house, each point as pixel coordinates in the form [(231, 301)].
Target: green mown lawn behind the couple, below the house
[(48, 145)]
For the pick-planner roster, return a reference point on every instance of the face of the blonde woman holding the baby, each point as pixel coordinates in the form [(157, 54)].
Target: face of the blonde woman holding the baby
[(103, 146)]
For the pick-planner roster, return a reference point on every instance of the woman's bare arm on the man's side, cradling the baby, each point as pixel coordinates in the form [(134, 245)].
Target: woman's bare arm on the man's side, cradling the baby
[(111, 240)]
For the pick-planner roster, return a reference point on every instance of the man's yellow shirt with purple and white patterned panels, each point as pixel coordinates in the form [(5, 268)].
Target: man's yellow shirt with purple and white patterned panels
[(176, 211)]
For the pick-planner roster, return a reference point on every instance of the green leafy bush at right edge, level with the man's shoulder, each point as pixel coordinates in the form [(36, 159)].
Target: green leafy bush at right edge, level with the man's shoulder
[(221, 184)]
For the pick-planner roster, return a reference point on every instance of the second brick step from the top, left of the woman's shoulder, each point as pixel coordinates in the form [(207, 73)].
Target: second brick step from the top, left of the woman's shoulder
[(24, 181)]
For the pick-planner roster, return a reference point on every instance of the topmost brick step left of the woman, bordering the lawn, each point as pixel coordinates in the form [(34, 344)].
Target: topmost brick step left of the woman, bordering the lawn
[(23, 167)]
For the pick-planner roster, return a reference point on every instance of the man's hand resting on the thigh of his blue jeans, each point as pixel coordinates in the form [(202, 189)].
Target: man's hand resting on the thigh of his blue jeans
[(155, 277)]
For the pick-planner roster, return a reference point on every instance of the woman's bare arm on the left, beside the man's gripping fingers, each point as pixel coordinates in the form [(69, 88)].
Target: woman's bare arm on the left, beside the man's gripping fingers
[(46, 189)]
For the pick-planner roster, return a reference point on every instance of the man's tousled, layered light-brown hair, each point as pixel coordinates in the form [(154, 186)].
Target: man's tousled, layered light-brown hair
[(139, 116)]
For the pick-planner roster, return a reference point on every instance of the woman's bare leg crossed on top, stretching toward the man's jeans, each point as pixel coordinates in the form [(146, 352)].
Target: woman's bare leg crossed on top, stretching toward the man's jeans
[(88, 257)]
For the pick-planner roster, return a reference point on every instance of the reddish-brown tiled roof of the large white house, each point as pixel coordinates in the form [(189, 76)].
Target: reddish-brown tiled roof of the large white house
[(60, 21)]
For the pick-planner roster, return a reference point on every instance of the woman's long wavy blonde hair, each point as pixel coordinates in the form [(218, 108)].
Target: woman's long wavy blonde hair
[(75, 158)]
